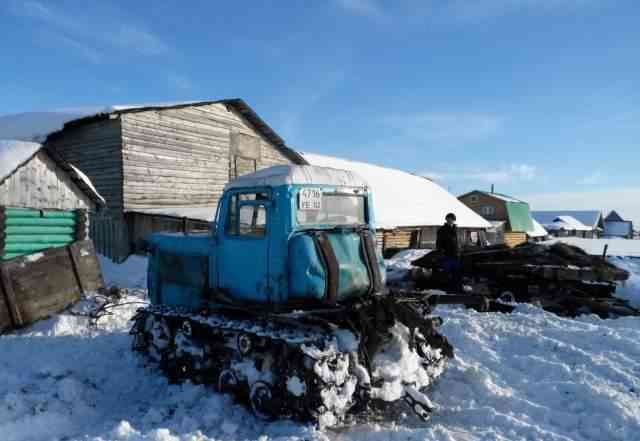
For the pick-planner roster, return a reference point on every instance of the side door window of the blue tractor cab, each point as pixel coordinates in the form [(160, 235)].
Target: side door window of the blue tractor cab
[(247, 215)]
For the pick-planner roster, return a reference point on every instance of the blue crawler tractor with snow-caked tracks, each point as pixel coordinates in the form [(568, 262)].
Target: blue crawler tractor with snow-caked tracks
[(283, 304)]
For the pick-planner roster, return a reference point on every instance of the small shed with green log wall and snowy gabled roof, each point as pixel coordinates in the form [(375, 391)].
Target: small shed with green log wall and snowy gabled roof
[(44, 201)]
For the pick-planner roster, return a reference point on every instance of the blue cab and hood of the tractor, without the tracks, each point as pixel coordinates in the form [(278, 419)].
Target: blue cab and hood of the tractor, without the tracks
[(284, 237)]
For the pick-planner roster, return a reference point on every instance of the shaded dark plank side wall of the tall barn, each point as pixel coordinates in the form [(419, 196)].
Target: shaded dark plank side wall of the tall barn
[(95, 148)]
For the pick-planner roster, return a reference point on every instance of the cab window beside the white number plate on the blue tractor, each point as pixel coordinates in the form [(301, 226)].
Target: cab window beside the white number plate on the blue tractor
[(316, 208)]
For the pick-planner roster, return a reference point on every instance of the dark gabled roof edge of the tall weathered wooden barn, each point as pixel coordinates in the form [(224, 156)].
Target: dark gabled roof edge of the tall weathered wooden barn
[(238, 104)]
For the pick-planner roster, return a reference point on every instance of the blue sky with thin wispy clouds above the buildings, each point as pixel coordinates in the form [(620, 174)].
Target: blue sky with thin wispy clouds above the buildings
[(539, 97)]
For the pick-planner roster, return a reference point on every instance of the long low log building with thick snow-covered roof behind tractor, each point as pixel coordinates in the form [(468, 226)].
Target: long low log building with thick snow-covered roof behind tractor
[(409, 209)]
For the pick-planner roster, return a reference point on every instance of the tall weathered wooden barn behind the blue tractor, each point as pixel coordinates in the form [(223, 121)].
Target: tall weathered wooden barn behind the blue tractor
[(163, 168)]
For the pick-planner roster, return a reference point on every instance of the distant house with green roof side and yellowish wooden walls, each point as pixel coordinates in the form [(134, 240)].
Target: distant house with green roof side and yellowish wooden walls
[(510, 217)]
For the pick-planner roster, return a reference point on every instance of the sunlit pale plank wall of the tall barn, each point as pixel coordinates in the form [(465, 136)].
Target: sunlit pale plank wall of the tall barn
[(183, 157)]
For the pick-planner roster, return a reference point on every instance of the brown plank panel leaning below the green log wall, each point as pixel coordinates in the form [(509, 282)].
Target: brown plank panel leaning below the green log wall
[(36, 286)]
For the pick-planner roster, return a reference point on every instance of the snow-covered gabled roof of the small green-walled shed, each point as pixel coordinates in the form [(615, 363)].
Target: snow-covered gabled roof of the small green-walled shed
[(15, 154)]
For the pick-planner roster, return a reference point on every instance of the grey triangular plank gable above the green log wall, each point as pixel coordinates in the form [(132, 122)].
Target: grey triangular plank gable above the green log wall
[(41, 184)]
